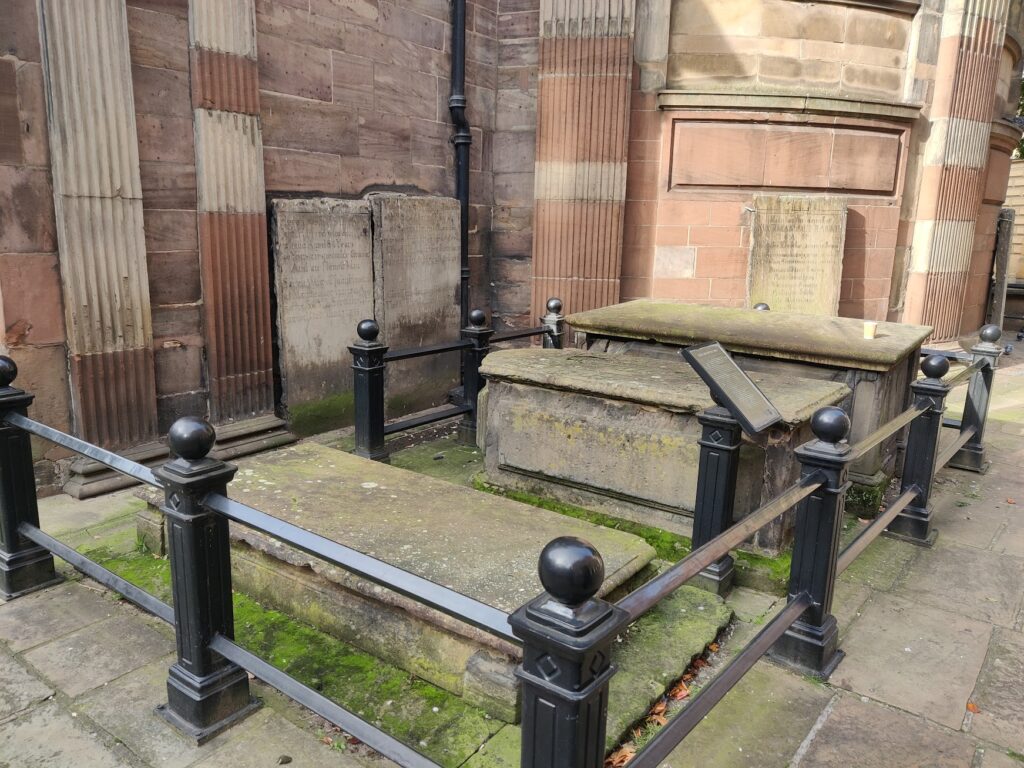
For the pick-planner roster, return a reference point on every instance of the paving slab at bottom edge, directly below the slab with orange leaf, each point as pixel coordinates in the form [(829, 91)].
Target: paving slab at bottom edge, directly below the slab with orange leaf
[(864, 735)]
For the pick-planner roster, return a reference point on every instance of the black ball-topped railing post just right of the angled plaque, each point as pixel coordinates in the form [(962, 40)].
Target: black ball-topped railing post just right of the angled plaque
[(812, 645)]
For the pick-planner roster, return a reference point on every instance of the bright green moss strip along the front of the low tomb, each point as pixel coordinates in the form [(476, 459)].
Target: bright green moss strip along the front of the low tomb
[(434, 721)]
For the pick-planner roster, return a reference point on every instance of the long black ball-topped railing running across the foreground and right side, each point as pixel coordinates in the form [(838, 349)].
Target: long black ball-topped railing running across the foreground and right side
[(567, 633)]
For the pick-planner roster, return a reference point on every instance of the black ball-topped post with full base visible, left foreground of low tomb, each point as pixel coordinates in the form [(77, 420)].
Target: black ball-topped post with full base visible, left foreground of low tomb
[(205, 693)]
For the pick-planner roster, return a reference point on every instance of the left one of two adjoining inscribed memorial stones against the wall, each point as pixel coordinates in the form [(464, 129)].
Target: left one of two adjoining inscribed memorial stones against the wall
[(324, 285)]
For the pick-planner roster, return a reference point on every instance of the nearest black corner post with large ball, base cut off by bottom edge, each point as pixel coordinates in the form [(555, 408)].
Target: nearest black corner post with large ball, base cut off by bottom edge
[(567, 634)]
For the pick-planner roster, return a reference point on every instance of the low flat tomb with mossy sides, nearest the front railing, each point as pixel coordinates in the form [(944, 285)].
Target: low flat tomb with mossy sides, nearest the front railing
[(481, 545)]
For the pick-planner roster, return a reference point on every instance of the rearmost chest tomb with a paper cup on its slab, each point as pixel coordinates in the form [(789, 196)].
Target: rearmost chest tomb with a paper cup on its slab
[(878, 371)]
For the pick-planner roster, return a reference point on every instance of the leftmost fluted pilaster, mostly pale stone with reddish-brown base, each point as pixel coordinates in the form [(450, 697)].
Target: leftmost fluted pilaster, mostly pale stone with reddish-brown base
[(99, 203)]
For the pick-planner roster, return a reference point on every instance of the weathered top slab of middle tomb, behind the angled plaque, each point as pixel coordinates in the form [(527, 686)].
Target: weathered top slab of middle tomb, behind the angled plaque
[(667, 385)]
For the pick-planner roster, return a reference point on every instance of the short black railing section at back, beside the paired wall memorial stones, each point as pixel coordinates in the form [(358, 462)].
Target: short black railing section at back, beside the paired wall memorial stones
[(370, 360)]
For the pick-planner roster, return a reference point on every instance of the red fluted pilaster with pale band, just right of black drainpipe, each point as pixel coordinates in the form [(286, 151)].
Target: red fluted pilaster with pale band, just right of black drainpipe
[(582, 144)]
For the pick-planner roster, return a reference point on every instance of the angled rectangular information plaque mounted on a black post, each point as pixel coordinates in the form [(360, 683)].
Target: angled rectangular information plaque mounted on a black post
[(732, 388)]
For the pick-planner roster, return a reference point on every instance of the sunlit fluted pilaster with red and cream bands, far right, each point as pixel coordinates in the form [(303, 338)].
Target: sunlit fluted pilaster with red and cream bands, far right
[(956, 158)]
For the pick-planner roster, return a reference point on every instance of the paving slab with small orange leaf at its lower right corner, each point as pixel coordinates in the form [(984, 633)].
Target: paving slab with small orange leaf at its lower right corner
[(914, 657)]
